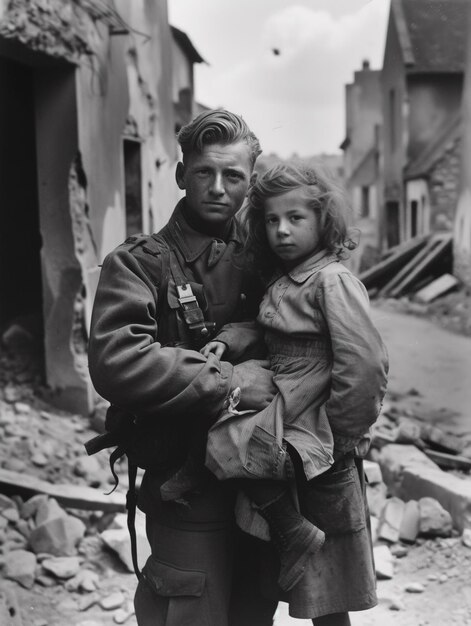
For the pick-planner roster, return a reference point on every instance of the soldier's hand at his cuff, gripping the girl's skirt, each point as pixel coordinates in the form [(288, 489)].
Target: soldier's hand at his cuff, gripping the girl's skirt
[(255, 380)]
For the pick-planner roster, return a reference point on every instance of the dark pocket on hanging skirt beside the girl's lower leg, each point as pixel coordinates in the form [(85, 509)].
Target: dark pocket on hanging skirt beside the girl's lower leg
[(334, 501)]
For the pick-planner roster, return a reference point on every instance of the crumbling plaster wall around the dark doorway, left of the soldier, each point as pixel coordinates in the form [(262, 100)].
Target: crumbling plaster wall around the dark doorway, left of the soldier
[(113, 77)]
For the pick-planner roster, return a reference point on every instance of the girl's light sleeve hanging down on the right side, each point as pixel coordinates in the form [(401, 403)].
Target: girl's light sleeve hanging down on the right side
[(360, 362)]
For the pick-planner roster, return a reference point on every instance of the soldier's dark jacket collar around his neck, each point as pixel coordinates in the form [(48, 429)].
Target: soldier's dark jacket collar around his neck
[(191, 242)]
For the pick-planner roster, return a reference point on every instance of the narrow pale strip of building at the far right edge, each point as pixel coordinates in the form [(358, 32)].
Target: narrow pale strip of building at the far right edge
[(462, 226)]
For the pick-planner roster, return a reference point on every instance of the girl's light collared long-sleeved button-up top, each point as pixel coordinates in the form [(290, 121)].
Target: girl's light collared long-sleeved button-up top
[(321, 300)]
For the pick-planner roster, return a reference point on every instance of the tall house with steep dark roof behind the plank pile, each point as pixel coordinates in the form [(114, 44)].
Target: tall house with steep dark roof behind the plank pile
[(422, 85)]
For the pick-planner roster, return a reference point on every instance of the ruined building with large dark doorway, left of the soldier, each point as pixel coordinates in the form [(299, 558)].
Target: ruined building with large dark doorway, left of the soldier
[(88, 155)]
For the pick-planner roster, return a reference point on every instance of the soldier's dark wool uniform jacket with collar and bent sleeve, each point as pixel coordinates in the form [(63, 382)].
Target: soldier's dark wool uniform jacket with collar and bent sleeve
[(130, 364)]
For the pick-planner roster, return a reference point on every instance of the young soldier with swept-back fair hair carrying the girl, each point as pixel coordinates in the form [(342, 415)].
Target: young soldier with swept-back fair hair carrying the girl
[(147, 328)]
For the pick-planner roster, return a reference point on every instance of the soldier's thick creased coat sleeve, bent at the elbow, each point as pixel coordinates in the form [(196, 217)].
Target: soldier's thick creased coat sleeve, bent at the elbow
[(129, 367)]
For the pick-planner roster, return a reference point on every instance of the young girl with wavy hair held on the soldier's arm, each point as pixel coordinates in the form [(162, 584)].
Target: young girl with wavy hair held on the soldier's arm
[(330, 368)]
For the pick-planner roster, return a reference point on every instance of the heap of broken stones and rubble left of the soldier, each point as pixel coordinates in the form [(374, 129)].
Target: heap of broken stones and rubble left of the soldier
[(60, 535)]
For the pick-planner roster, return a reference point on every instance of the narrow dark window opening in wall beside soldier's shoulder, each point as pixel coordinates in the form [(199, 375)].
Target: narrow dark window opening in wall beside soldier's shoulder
[(133, 186)]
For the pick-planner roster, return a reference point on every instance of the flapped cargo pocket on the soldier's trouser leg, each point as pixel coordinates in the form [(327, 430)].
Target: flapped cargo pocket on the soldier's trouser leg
[(181, 590)]
